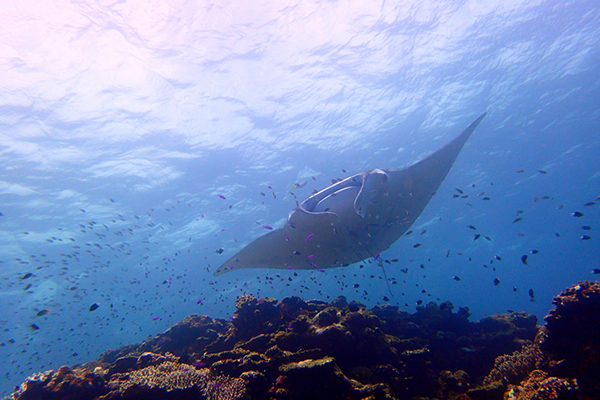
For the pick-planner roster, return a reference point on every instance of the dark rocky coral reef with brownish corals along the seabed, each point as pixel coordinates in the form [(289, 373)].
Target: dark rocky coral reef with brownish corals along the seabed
[(296, 349)]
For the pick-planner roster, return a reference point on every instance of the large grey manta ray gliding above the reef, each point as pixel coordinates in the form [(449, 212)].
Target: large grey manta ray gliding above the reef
[(353, 219)]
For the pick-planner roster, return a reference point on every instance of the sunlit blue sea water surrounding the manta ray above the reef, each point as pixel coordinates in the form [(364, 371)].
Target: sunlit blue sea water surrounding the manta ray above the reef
[(121, 122)]
